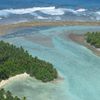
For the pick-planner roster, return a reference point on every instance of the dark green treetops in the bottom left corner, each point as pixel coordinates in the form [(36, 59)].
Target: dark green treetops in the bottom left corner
[(8, 96)]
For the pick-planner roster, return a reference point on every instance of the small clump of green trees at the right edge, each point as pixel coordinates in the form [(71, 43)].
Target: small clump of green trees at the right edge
[(93, 38)]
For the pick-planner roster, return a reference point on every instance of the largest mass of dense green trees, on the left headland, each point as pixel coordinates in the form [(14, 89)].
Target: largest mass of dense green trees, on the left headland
[(15, 61)]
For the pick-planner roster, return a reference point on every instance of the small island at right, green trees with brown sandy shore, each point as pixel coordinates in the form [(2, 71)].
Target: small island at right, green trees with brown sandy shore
[(91, 40)]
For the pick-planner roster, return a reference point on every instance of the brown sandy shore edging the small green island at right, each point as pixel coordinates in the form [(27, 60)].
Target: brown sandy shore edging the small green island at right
[(80, 40)]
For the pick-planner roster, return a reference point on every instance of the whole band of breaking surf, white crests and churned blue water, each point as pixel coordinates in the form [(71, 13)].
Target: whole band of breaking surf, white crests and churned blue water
[(50, 12)]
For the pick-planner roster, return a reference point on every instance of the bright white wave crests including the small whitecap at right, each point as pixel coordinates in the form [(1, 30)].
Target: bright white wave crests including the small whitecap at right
[(45, 10)]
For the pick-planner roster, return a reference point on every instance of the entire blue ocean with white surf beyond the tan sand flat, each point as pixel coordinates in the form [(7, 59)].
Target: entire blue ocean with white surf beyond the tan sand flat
[(14, 11)]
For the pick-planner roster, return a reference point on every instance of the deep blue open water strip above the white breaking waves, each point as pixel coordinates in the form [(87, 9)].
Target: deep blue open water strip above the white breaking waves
[(5, 4)]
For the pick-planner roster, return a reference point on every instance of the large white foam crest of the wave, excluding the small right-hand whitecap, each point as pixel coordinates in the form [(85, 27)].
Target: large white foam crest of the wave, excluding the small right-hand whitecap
[(46, 10)]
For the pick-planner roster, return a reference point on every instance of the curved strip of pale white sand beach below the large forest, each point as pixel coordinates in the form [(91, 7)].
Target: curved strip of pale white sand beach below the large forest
[(20, 76)]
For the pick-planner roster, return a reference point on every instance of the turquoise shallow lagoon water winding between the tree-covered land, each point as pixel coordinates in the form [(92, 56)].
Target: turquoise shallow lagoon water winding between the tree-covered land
[(79, 67)]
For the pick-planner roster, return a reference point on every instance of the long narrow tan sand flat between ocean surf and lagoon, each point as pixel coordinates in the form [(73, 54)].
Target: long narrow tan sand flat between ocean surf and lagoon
[(5, 28)]
